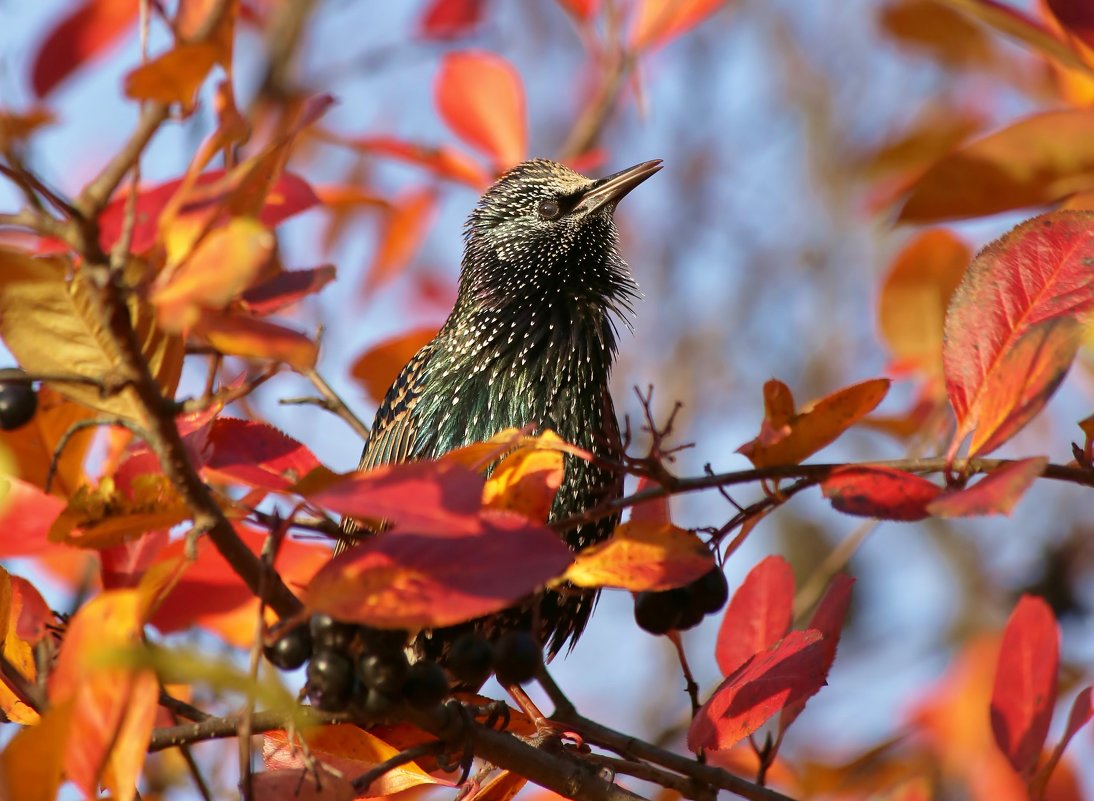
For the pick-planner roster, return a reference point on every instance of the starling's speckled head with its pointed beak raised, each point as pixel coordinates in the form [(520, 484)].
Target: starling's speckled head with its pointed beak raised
[(544, 231)]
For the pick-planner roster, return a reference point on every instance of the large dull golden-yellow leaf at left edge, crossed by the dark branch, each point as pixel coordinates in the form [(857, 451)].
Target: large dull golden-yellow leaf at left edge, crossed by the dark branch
[(51, 323)]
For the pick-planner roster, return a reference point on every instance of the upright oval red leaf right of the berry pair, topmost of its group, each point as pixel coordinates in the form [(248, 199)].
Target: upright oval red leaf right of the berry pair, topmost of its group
[(759, 617)]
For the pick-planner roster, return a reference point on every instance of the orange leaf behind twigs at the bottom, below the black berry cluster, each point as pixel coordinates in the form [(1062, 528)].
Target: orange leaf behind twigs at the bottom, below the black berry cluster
[(350, 750)]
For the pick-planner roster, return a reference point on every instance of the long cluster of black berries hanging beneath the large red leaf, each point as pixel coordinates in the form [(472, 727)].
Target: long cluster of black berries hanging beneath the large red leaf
[(369, 668)]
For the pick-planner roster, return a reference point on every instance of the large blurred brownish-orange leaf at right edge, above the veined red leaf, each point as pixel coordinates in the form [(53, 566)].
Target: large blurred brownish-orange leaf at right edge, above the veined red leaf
[(1039, 160)]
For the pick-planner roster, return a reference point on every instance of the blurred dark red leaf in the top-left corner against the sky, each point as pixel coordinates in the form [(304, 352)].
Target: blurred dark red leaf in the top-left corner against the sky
[(89, 30)]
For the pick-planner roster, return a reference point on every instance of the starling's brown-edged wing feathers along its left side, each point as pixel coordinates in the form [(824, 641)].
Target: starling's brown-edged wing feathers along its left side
[(394, 429)]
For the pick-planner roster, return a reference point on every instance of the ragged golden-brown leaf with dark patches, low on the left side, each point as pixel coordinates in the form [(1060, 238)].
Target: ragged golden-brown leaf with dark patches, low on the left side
[(106, 517)]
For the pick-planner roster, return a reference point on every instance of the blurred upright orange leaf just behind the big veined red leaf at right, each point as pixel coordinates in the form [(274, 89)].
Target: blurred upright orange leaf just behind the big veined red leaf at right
[(917, 291)]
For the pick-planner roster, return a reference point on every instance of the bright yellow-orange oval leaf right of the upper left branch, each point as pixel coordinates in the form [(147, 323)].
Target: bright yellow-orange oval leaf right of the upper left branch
[(224, 264)]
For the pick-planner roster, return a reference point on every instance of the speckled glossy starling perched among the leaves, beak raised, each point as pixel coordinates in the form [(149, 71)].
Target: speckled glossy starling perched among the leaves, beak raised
[(531, 340)]
